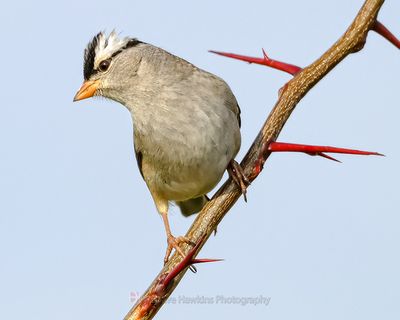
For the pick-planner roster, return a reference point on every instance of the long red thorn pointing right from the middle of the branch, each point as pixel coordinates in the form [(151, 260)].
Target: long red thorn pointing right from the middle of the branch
[(316, 150)]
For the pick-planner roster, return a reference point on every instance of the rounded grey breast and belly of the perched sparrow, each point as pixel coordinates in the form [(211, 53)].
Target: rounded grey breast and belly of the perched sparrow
[(188, 130)]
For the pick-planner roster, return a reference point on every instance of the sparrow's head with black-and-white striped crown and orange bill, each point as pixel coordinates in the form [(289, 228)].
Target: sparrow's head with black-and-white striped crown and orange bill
[(110, 64)]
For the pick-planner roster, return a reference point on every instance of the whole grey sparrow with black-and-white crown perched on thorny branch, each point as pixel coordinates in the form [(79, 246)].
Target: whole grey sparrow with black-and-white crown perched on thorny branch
[(186, 121)]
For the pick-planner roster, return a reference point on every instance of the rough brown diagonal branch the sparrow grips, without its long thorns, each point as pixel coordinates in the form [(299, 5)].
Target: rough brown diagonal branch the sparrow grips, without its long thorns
[(214, 211)]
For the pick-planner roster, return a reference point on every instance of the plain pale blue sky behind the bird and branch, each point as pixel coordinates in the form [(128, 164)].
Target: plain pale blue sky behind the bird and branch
[(78, 229)]
